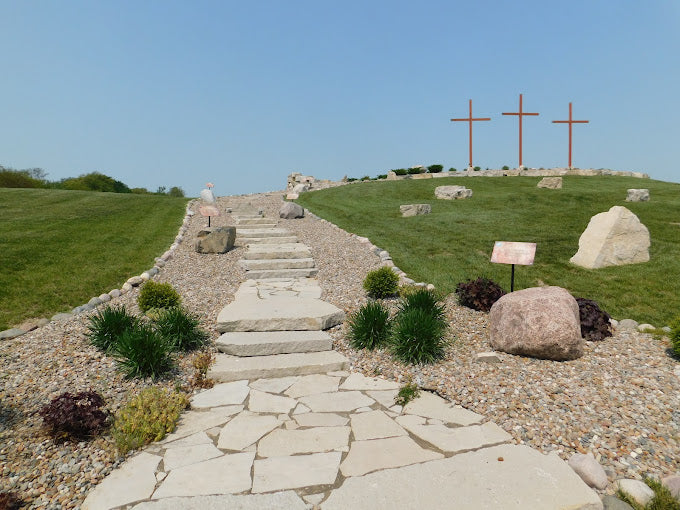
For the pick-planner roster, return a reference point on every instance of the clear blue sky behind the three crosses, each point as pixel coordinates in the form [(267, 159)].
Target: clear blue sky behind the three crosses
[(242, 93)]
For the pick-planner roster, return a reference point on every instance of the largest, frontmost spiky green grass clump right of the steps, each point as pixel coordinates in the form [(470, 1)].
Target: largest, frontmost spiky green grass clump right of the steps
[(418, 336)]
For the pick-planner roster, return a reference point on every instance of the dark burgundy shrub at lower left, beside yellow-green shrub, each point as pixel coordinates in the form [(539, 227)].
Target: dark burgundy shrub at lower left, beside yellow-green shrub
[(75, 415)]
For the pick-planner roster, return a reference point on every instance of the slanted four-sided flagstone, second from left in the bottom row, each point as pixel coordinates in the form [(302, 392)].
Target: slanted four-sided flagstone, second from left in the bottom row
[(209, 477)]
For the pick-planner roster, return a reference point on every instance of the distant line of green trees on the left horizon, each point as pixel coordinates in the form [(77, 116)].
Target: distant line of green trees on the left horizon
[(93, 181)]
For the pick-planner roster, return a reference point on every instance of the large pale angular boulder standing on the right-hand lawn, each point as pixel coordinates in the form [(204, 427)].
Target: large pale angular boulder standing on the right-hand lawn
[(613, 238)]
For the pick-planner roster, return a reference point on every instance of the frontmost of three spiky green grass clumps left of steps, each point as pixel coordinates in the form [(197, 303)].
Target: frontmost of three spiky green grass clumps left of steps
[(143, 352)]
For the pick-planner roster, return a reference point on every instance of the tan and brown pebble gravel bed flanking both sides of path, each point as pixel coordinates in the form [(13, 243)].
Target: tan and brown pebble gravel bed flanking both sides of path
[(620, 400)]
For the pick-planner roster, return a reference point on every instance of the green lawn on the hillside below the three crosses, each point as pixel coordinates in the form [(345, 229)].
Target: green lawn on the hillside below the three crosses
[(454, 243)]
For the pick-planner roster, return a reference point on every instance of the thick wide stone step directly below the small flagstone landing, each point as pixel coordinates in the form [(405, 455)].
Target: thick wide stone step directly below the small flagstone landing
[(278, 313)]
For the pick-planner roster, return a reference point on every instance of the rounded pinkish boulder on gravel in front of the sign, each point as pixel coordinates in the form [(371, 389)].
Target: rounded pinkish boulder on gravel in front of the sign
[(541, 322)]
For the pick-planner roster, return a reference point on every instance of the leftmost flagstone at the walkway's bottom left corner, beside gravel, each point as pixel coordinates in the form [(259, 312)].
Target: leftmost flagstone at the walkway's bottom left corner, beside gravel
[(138, 477)]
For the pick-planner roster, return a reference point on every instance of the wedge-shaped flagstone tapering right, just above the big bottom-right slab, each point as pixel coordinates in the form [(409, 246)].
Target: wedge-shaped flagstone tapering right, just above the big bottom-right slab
[(367, 456)]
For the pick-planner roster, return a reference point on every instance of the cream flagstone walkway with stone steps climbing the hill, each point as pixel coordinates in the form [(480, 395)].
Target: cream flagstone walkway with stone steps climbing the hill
[(285, 430)]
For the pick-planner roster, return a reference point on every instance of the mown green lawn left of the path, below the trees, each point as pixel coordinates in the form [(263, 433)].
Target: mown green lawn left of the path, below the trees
[(60, 248)]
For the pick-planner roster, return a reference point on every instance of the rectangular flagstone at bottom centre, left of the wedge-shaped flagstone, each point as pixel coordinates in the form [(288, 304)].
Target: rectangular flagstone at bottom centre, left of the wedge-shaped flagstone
[(279, 473)]
